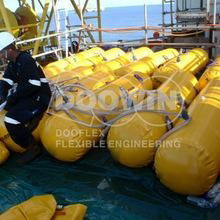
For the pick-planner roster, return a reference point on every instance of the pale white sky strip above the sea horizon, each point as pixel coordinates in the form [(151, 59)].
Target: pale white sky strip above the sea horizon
[(12, 4)]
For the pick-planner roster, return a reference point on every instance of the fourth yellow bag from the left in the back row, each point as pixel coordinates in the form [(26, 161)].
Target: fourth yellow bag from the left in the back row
[(143, 66)]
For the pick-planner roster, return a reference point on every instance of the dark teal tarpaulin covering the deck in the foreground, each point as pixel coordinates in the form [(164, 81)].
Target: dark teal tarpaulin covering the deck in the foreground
[(110, 190)]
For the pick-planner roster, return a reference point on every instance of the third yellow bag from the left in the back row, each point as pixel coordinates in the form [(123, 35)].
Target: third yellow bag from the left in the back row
[(123, 60)]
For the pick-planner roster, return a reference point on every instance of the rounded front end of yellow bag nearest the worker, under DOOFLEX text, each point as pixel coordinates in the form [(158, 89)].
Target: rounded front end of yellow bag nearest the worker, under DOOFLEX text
[(67, 140)]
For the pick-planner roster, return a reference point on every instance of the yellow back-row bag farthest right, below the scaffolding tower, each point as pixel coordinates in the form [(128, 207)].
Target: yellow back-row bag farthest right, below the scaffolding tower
[(193, 62)]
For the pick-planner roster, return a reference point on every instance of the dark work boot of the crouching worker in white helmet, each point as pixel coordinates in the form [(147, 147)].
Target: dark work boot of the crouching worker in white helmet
[(33, 151)]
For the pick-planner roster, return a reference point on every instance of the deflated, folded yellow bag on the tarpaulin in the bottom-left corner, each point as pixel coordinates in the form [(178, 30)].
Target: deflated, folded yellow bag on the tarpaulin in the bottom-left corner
[(44, 208)]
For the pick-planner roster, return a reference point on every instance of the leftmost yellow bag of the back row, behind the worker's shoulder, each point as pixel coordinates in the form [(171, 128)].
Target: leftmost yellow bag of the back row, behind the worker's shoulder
[(60, 66)]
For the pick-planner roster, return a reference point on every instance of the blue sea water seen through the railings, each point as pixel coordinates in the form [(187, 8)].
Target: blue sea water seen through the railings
[(120, 17)]
